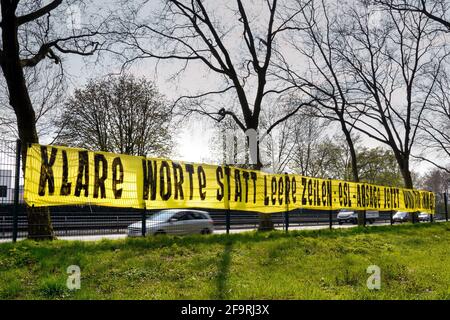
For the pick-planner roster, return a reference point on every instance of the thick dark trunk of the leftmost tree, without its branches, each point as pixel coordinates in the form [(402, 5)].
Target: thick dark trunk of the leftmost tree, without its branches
[(39, 222)]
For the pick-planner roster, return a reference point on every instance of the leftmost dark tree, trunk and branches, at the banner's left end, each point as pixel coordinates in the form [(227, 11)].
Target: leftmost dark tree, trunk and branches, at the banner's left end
[(33, 32)]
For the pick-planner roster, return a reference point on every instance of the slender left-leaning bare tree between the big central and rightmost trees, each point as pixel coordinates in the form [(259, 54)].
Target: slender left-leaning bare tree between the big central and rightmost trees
[(321, 77)]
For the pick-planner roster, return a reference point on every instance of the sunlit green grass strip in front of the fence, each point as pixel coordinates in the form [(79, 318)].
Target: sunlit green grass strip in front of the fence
[(414, 262)]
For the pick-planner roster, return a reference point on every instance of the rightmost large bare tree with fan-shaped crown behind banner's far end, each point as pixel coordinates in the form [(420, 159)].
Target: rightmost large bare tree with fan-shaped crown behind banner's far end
[(394, 63)]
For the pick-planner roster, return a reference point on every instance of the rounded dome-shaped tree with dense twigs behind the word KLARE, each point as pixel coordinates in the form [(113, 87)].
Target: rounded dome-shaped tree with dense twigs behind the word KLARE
[(118, 114)]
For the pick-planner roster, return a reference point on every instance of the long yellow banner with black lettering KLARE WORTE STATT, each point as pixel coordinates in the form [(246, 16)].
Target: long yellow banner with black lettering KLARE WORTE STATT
[(67, 176)]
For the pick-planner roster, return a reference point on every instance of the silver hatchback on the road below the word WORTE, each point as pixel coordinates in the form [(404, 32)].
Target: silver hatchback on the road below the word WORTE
[(174, 221)]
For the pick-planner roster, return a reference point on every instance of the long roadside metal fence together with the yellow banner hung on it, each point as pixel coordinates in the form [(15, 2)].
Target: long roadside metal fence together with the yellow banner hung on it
[(95, 193)]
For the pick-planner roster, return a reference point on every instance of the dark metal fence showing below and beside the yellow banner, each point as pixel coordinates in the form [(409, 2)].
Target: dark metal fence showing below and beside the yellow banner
[(93, 222)]
